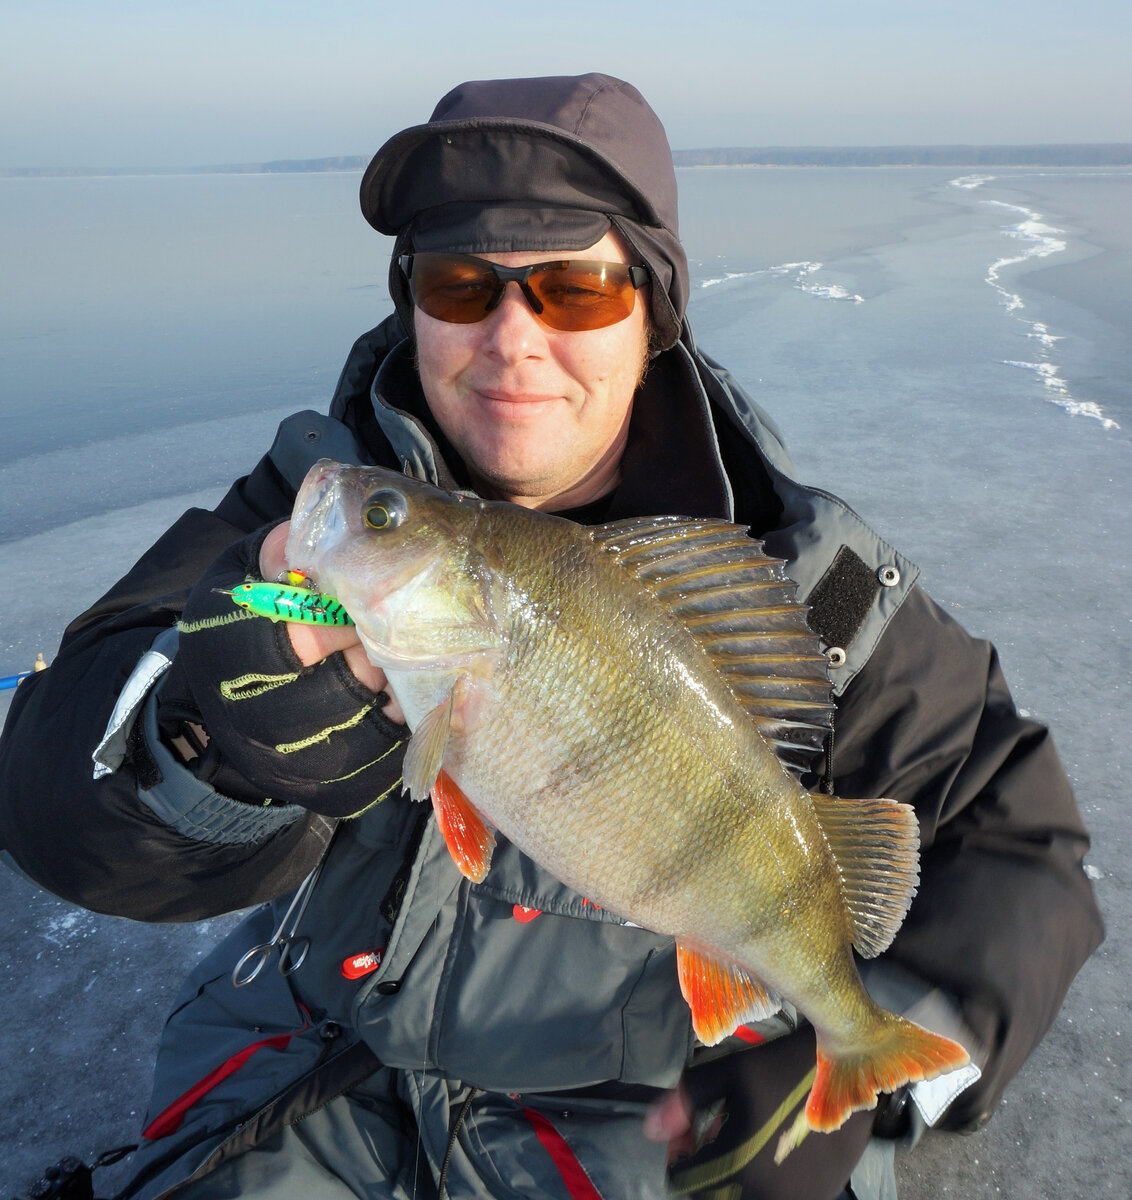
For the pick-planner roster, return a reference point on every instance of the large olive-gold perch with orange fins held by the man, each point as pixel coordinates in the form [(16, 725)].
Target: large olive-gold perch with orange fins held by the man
[(633, 705)]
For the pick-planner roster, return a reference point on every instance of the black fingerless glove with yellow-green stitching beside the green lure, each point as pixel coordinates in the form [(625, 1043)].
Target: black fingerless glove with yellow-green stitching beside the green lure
[(279, 733)]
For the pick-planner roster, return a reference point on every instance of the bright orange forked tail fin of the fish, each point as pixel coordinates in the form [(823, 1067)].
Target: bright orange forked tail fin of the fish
[(902, 1054)]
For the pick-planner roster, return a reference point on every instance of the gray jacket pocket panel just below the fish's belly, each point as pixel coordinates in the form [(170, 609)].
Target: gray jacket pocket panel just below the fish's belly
[(598, 999)]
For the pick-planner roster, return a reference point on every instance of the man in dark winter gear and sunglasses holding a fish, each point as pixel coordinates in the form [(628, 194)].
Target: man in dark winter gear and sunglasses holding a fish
[(507, 1039)]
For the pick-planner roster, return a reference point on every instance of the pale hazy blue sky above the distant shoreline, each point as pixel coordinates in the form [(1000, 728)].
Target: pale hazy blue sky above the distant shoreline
[(155, 83)]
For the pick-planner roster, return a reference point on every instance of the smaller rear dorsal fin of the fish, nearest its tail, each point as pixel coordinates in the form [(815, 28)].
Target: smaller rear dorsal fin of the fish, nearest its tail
[(877, 845)]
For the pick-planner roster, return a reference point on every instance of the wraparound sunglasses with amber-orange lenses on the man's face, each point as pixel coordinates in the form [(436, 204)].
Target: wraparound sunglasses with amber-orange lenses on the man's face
[(567, 295)]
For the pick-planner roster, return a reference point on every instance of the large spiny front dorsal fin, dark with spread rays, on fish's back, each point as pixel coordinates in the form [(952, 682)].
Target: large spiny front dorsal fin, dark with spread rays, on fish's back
[(742, 608)]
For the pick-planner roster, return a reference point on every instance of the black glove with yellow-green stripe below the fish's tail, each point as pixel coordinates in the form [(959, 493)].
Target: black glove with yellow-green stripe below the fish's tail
[(762, 1091)]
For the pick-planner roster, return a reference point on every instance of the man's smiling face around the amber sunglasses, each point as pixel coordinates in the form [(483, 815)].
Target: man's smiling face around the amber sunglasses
[(540, 417)]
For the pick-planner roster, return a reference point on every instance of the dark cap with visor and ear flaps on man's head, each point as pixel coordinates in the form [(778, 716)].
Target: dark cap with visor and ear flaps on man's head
[(546, 164)]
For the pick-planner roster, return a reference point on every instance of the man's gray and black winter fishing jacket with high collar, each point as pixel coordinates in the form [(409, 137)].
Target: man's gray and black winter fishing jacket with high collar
[(469, 981)]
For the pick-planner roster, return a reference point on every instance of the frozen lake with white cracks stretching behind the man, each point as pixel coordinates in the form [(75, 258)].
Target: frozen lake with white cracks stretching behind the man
[(953, 361)]
